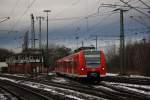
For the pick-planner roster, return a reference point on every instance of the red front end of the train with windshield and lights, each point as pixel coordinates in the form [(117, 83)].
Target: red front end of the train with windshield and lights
[(93, 64)]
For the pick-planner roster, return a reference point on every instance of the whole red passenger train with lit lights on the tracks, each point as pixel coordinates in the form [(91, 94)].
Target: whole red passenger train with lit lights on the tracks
[(85, 64)]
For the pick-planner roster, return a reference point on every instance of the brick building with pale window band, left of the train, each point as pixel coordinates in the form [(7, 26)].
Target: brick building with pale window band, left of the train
[(26, 62)]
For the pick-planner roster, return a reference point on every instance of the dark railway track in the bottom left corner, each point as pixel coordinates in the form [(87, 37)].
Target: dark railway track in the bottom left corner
[(22, 92)]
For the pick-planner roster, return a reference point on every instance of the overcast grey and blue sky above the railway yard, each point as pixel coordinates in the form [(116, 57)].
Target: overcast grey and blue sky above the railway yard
[(69, 19)]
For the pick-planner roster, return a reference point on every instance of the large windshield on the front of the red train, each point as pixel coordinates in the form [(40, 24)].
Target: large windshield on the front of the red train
[(92, 58)]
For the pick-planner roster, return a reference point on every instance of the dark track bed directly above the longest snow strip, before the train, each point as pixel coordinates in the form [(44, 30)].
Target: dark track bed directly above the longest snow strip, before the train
[(106, 94)]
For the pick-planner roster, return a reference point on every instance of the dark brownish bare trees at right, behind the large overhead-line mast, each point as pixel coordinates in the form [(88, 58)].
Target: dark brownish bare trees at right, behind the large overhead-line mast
[(137, 59)]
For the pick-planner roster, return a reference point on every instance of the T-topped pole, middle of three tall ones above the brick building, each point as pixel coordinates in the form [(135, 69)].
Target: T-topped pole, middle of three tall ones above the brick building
[(40, 18)]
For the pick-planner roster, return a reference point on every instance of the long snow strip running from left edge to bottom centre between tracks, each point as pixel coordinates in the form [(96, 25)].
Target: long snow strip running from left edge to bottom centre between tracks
[(56, 90)]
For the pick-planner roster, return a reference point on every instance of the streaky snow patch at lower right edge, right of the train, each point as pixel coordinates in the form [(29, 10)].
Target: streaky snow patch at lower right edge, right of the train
[(128, 87)]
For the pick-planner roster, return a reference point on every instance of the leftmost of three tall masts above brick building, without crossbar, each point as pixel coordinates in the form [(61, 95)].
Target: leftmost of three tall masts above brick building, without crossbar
[(32, 32)]
